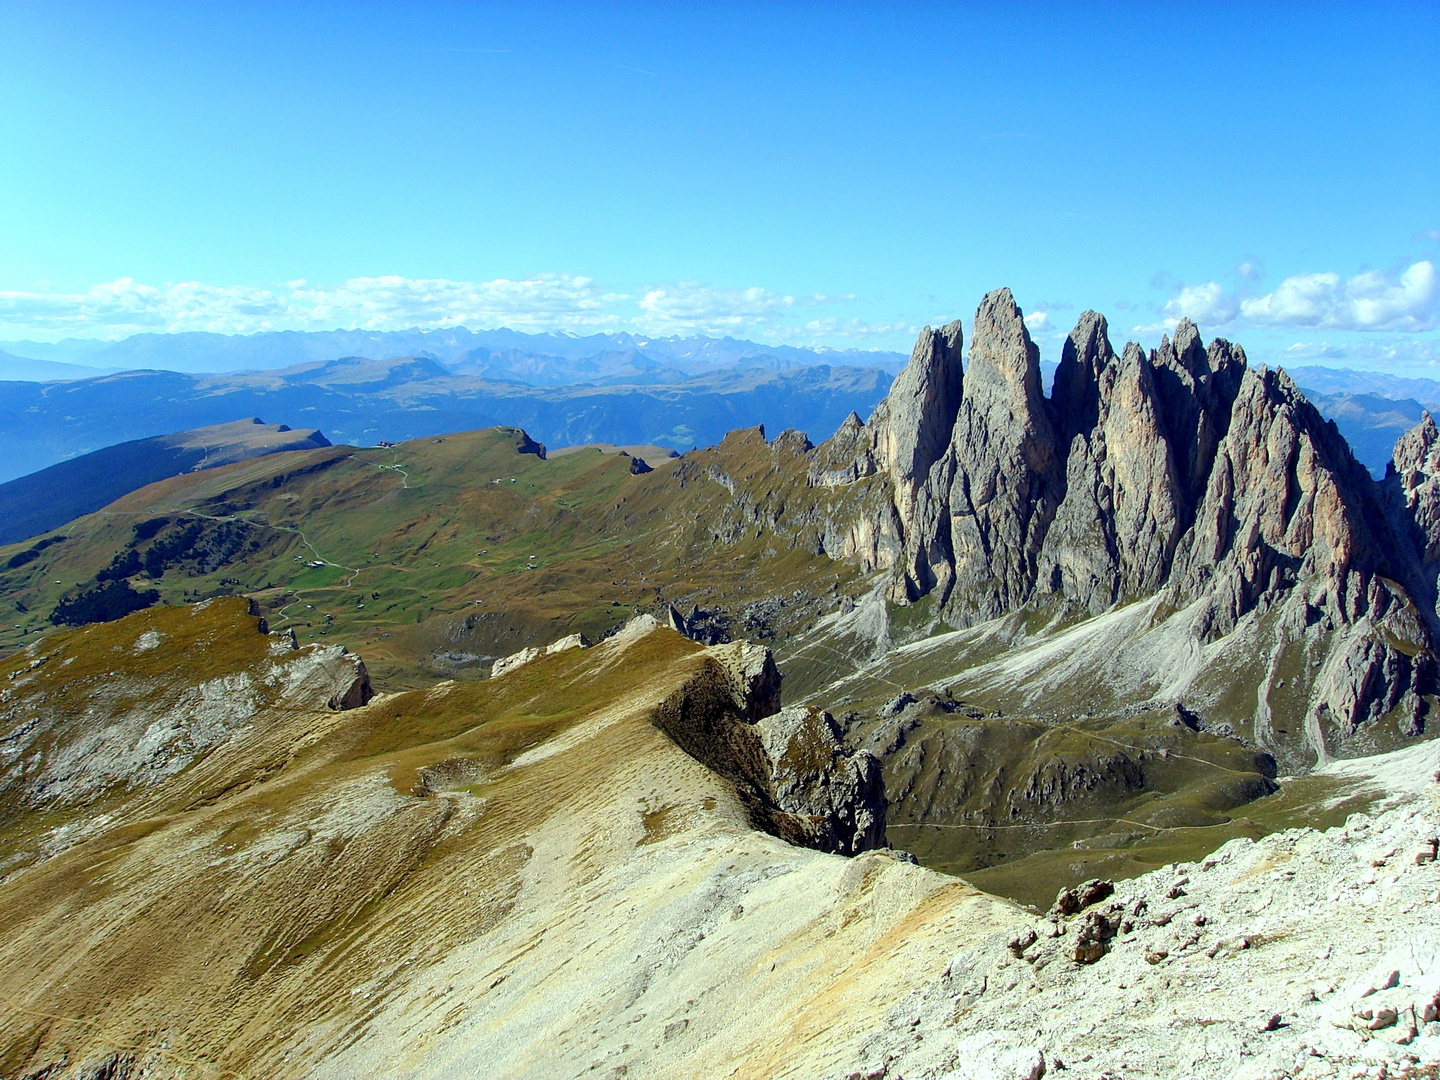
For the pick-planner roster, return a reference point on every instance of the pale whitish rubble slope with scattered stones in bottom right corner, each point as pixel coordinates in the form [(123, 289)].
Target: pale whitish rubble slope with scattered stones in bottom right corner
[(1300, 955)]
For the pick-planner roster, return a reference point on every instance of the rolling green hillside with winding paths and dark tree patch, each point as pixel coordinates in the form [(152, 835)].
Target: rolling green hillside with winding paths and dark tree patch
[(437, 555)]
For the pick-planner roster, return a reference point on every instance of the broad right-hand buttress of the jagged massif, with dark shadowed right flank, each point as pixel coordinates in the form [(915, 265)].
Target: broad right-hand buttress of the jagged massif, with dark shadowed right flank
[(1292, 523)]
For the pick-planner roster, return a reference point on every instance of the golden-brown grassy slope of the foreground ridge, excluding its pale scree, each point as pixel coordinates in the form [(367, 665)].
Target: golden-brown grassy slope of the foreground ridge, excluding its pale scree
[(186, 924)]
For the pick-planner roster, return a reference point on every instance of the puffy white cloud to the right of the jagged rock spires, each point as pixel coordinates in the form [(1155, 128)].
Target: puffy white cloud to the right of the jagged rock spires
[(1367, 302)]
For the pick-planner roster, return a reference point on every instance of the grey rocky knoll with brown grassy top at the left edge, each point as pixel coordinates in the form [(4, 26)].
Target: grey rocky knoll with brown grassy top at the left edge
[(74, 734)]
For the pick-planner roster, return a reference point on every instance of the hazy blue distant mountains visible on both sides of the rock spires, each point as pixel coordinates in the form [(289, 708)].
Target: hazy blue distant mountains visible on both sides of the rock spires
[(565, 390)]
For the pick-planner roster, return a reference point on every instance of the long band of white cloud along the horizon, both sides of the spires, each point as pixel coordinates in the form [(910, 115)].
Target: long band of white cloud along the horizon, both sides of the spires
[(1402, 307)]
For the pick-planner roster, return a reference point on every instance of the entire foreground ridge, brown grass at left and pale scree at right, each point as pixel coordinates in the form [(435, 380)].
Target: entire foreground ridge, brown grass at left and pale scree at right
[(297, 898)]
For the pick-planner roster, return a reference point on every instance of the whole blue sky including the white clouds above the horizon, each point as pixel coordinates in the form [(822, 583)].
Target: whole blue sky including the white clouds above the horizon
[(806, 174)]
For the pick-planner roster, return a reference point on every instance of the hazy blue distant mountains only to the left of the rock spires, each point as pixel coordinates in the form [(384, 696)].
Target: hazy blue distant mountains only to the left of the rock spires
[(362, 402)]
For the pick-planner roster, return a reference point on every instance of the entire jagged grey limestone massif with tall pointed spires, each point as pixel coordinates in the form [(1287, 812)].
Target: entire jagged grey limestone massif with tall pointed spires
[(1183, 473)]
